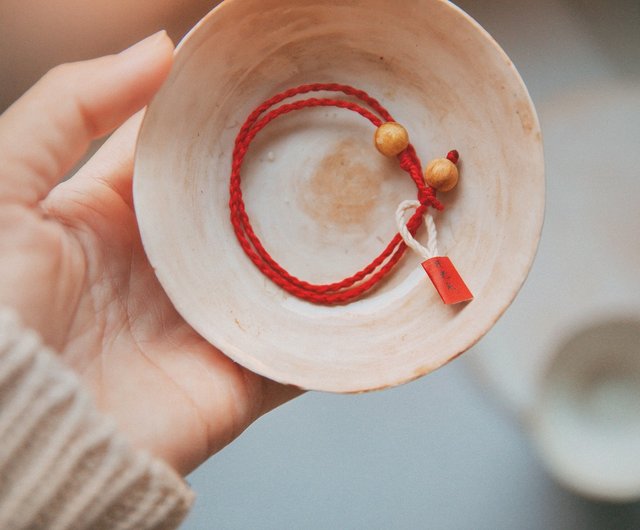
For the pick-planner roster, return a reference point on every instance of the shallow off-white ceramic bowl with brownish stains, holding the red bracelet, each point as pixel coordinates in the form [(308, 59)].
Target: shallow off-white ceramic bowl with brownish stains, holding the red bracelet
[(322, 199)]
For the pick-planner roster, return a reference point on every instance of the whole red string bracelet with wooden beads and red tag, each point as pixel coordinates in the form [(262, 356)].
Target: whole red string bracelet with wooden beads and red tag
[(439, 269)]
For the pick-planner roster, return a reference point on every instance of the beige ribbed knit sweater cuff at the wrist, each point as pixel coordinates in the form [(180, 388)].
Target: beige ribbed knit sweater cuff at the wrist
[(62, 464)]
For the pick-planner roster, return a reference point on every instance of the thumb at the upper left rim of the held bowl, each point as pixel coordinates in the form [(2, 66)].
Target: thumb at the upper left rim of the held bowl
[(47, 130)]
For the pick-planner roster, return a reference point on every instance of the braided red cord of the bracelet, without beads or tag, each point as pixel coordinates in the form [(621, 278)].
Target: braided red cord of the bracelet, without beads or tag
[(356, 285)]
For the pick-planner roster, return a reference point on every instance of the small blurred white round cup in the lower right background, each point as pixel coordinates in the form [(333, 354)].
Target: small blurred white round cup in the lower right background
[(586, 421)]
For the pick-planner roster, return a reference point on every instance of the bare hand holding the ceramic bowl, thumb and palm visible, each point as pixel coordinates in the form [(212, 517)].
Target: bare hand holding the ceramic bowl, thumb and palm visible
[(73, 266)]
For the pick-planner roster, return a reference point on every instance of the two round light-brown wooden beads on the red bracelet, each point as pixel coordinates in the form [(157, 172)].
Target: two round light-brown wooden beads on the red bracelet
[(391, 139)]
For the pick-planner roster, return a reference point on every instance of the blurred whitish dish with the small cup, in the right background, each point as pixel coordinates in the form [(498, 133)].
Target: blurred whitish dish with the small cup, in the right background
[(583, 406)]
